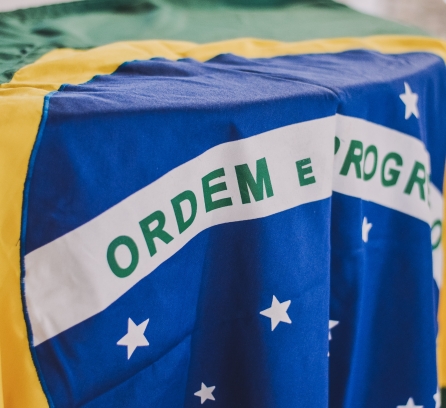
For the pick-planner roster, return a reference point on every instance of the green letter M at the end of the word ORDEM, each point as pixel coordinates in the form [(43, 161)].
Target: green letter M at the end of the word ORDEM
[(246, 181)]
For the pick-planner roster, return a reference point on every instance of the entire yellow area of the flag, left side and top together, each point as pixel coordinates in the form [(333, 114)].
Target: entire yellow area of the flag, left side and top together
[(21, 103)]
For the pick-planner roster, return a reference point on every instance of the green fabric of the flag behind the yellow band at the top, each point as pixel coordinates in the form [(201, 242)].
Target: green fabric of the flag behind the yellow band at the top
[(28, 34)]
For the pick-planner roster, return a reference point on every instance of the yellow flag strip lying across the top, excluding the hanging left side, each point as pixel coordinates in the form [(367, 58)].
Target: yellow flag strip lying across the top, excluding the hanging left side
[(75, 67)]
